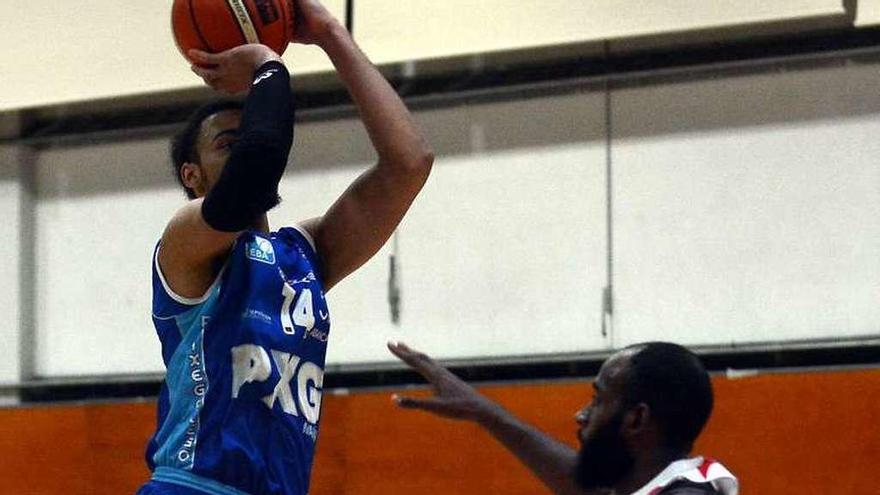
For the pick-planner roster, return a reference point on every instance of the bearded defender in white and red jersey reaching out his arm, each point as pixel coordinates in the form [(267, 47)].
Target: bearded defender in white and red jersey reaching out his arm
[(650, 404)]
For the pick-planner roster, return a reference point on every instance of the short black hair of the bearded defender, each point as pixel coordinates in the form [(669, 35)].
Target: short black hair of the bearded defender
[(672, 381)]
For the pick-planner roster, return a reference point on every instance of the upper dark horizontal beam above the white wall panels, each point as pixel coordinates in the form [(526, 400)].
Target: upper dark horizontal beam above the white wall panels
[(492, 79)]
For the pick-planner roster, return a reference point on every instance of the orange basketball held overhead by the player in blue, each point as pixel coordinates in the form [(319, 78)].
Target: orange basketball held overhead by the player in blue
[(217, 25)]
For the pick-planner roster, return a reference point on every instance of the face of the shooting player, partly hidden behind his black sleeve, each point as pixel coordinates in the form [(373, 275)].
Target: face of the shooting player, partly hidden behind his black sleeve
[(218, 133)]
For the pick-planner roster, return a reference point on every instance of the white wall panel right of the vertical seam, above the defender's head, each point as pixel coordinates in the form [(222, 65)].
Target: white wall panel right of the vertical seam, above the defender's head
[(744, 208)]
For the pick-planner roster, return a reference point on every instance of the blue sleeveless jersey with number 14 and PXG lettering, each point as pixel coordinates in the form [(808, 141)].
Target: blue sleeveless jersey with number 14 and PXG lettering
[(239, 409)]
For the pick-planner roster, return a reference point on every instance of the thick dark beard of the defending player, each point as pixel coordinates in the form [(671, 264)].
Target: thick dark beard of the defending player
[(604, 460)]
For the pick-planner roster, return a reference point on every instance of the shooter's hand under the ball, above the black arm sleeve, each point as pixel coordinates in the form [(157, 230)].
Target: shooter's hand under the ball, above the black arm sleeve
[(231, 71)]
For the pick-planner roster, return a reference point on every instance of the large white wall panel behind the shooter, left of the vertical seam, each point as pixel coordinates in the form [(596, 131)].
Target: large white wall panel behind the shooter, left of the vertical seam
[(102, 206)]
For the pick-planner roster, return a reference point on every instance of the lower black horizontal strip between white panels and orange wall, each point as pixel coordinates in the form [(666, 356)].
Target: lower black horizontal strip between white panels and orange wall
[(806, 356)]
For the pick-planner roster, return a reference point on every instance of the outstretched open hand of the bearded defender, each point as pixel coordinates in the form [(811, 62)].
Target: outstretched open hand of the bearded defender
[(453, 398)]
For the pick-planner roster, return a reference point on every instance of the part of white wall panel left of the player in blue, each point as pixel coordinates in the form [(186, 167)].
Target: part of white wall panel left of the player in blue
[(100, 210)]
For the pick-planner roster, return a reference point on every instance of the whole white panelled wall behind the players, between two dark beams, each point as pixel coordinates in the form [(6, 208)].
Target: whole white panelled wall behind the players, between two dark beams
[(737, 205)]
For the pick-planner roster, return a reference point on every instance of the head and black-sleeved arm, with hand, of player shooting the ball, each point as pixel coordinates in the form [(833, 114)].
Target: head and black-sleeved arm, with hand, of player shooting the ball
[(230, 164)]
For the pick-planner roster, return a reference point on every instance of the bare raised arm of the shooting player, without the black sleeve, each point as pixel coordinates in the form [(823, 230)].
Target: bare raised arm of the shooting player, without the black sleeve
[(365, 216)]
